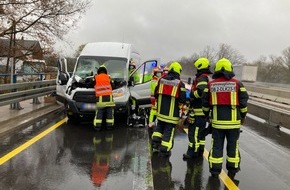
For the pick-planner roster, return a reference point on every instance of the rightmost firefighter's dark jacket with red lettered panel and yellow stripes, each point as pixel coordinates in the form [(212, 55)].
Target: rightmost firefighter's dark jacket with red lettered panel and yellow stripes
[(227, 102)]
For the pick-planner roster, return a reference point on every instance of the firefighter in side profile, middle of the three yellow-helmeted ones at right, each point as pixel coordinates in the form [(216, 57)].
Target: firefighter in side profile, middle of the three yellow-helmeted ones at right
[(196, 117)]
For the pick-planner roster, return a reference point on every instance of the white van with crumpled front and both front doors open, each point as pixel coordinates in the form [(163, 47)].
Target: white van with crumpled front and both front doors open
[(77, 91)]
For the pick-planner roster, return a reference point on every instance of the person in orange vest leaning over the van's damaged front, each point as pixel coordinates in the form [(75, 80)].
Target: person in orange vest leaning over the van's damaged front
[(105, 103)]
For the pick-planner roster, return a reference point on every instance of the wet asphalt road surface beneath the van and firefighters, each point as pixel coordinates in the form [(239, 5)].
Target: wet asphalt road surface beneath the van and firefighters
[(76, 157)]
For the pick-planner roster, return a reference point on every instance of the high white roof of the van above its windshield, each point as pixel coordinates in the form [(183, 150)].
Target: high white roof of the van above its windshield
[(108, 49)]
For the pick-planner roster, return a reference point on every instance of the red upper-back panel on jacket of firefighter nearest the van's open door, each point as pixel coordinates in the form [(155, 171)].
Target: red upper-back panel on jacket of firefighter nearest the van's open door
[(169, 87)]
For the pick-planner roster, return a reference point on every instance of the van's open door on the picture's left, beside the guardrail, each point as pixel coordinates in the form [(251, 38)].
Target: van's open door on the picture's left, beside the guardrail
[(62, 79)]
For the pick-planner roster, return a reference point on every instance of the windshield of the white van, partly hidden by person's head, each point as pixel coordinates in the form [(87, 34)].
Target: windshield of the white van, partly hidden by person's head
[(88, 66)]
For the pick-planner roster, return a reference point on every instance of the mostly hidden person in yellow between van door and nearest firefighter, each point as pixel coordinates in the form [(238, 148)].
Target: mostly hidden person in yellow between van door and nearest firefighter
[(155, 76)]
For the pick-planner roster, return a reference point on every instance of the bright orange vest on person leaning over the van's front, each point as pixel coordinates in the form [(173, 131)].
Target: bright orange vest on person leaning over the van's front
[(103, 85)]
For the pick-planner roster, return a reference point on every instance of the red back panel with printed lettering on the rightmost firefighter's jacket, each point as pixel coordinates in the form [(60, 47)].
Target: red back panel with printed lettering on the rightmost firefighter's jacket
[(224, 92)]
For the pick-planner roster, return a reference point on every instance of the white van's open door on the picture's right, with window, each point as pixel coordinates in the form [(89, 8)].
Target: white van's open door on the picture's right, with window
[(140, 88)]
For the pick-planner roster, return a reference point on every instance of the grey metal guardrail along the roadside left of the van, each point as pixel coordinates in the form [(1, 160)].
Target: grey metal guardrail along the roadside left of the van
[(17, 92)]
